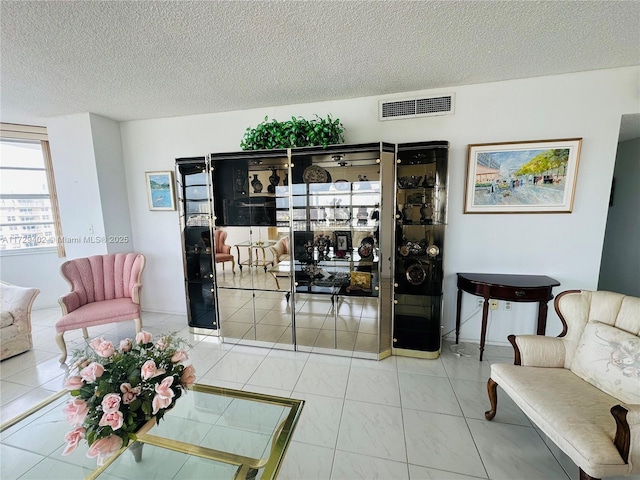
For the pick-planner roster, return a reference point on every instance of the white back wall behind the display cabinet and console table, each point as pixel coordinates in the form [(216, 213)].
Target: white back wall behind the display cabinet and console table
[(564, 246)]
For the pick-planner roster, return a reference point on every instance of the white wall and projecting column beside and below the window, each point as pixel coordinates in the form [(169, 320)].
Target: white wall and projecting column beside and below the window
[(88, 167)]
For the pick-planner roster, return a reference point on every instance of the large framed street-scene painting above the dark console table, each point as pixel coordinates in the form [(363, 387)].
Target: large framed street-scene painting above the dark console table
[(522, 177)]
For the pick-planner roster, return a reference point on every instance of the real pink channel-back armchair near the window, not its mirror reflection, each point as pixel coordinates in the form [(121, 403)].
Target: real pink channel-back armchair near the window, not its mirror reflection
[(104, 289)]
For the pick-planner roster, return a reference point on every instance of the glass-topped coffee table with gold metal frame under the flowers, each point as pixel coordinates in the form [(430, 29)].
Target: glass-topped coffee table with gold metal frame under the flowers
[(212, 432)]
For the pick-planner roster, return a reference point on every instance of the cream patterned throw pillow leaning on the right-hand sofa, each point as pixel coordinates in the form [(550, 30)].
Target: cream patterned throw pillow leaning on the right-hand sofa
[(609, 358)]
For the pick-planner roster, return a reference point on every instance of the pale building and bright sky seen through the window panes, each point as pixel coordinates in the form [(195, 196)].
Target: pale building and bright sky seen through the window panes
[(26, 215)]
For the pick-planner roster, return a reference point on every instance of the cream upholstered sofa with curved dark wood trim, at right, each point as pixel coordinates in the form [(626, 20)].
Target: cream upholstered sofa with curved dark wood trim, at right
[(582, 389)]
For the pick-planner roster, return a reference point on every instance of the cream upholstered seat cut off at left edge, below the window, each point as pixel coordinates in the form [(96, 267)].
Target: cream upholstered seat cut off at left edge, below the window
[(15, 318)]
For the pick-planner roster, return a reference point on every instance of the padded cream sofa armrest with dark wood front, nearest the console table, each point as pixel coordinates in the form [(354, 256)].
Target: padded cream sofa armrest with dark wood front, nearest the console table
[(538, 351)]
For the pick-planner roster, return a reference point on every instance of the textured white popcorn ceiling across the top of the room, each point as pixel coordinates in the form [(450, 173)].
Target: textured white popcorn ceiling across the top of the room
[(148, 59)]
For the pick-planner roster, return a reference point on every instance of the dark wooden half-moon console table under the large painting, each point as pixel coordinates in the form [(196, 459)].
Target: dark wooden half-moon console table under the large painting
[(512, 288)]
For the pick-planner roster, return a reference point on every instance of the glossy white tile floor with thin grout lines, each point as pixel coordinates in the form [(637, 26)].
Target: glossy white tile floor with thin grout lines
[(400, 418)]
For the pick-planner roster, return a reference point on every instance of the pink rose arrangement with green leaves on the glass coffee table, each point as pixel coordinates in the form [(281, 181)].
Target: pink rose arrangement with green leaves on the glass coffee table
[(114, 391)]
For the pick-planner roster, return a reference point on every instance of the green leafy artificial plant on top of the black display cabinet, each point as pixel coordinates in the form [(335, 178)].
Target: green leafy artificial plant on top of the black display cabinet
[(297, 132)]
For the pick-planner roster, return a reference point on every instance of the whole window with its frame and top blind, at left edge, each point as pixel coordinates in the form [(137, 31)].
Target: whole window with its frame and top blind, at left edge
[(29, 217)]
